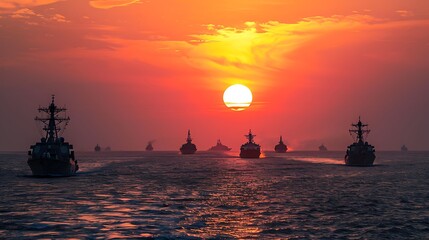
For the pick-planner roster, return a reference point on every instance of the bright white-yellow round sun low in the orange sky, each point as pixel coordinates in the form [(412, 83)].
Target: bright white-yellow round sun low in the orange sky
[(237, 97)]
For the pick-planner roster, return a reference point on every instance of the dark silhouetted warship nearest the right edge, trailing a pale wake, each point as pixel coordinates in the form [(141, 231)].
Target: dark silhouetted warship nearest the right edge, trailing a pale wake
[(360, 153)]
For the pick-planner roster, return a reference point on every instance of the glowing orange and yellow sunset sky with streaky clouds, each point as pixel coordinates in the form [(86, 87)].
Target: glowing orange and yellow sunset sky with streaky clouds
[(131, 71)]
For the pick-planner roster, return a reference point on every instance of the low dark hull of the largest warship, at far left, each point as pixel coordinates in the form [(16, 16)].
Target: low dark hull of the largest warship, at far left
[(52, 167)]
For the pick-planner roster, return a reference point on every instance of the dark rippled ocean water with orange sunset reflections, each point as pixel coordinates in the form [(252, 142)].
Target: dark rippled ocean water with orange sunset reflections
[(164, 195)]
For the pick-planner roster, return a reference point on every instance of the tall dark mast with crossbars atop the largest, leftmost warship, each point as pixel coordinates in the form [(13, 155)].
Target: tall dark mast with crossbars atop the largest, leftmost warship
[(52, 120)]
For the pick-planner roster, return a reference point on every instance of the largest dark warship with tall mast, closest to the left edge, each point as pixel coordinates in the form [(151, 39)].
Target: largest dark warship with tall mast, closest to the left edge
[(52, 156)]
